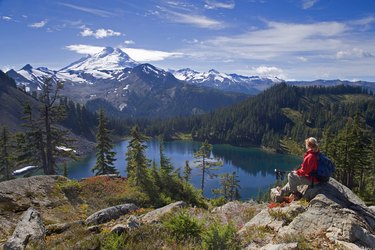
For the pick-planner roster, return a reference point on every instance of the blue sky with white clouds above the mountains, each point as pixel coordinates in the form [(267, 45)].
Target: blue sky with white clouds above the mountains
[(290, 39)]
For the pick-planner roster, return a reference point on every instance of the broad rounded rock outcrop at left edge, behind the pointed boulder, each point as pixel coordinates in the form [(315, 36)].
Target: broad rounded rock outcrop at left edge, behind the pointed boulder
[(40, 192)]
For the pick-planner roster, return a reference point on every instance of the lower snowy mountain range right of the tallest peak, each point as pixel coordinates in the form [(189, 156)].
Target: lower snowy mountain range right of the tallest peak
[(225, 82)]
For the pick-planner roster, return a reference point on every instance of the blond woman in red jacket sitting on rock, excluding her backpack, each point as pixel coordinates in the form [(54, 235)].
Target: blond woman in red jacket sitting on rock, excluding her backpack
[(302, 175)]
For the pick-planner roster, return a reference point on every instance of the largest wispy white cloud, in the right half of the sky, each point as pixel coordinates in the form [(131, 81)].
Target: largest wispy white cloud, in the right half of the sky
[(275, 41)]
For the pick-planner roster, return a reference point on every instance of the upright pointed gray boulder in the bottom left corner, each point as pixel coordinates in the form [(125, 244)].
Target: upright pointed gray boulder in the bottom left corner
[(29, 229)]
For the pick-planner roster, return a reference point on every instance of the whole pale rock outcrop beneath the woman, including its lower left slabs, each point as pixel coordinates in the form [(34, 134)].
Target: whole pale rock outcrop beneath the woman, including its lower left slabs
[(333, 210)]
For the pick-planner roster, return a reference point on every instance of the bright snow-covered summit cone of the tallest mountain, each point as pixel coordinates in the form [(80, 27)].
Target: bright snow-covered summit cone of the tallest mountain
[(107, 59)]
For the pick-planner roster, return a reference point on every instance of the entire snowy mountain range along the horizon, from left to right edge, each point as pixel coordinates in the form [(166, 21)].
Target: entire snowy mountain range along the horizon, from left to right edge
[(132, 88)]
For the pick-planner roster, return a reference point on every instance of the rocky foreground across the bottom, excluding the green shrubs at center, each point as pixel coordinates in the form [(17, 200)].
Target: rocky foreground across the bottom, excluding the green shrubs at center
[(47, 210)]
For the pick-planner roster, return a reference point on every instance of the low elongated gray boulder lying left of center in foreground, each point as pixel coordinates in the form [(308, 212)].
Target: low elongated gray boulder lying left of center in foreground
[(110, 213)]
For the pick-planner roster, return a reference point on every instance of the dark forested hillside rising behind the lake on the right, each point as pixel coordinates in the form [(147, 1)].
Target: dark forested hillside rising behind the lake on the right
[(282, 111)]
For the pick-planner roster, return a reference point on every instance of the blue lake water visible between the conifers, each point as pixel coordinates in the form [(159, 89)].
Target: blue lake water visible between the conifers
[(253, 166)]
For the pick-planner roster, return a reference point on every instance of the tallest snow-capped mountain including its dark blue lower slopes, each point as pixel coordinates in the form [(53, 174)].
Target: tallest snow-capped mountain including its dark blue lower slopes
[(113, 80)]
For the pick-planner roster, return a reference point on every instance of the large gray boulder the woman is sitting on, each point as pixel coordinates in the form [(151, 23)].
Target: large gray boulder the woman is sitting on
[(336, 210)]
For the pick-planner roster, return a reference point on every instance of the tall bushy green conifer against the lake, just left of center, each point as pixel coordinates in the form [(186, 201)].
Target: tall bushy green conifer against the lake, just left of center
[(137, 163)]
